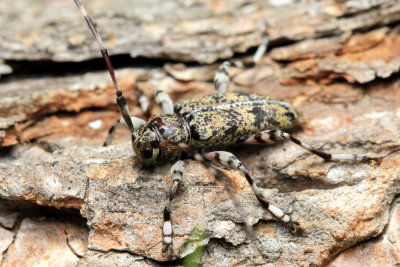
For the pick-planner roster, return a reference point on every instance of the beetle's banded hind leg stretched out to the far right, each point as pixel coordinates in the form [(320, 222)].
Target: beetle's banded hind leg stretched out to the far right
[(272, 136)]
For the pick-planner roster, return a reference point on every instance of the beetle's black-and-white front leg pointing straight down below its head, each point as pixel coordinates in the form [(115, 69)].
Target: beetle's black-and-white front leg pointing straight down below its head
[(176, 176)]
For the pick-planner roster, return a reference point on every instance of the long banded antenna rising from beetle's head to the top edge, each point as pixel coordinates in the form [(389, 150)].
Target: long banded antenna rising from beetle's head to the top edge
[(120, 99)]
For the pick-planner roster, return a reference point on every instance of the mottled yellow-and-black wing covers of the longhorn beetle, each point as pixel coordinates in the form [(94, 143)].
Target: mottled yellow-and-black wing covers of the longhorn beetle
[(224, 119)]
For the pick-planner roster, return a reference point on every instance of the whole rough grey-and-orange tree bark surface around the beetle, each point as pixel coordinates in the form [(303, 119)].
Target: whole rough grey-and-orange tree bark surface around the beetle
[(337, 63)]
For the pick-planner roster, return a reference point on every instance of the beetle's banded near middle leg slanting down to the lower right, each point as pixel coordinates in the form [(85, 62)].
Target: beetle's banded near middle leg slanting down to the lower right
[(229, 161)]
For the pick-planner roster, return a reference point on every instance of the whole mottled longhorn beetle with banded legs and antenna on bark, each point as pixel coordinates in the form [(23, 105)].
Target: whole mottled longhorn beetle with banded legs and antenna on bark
[(217, 120)]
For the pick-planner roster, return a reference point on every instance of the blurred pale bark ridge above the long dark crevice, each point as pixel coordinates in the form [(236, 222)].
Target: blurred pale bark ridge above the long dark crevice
[(213, 29)]
